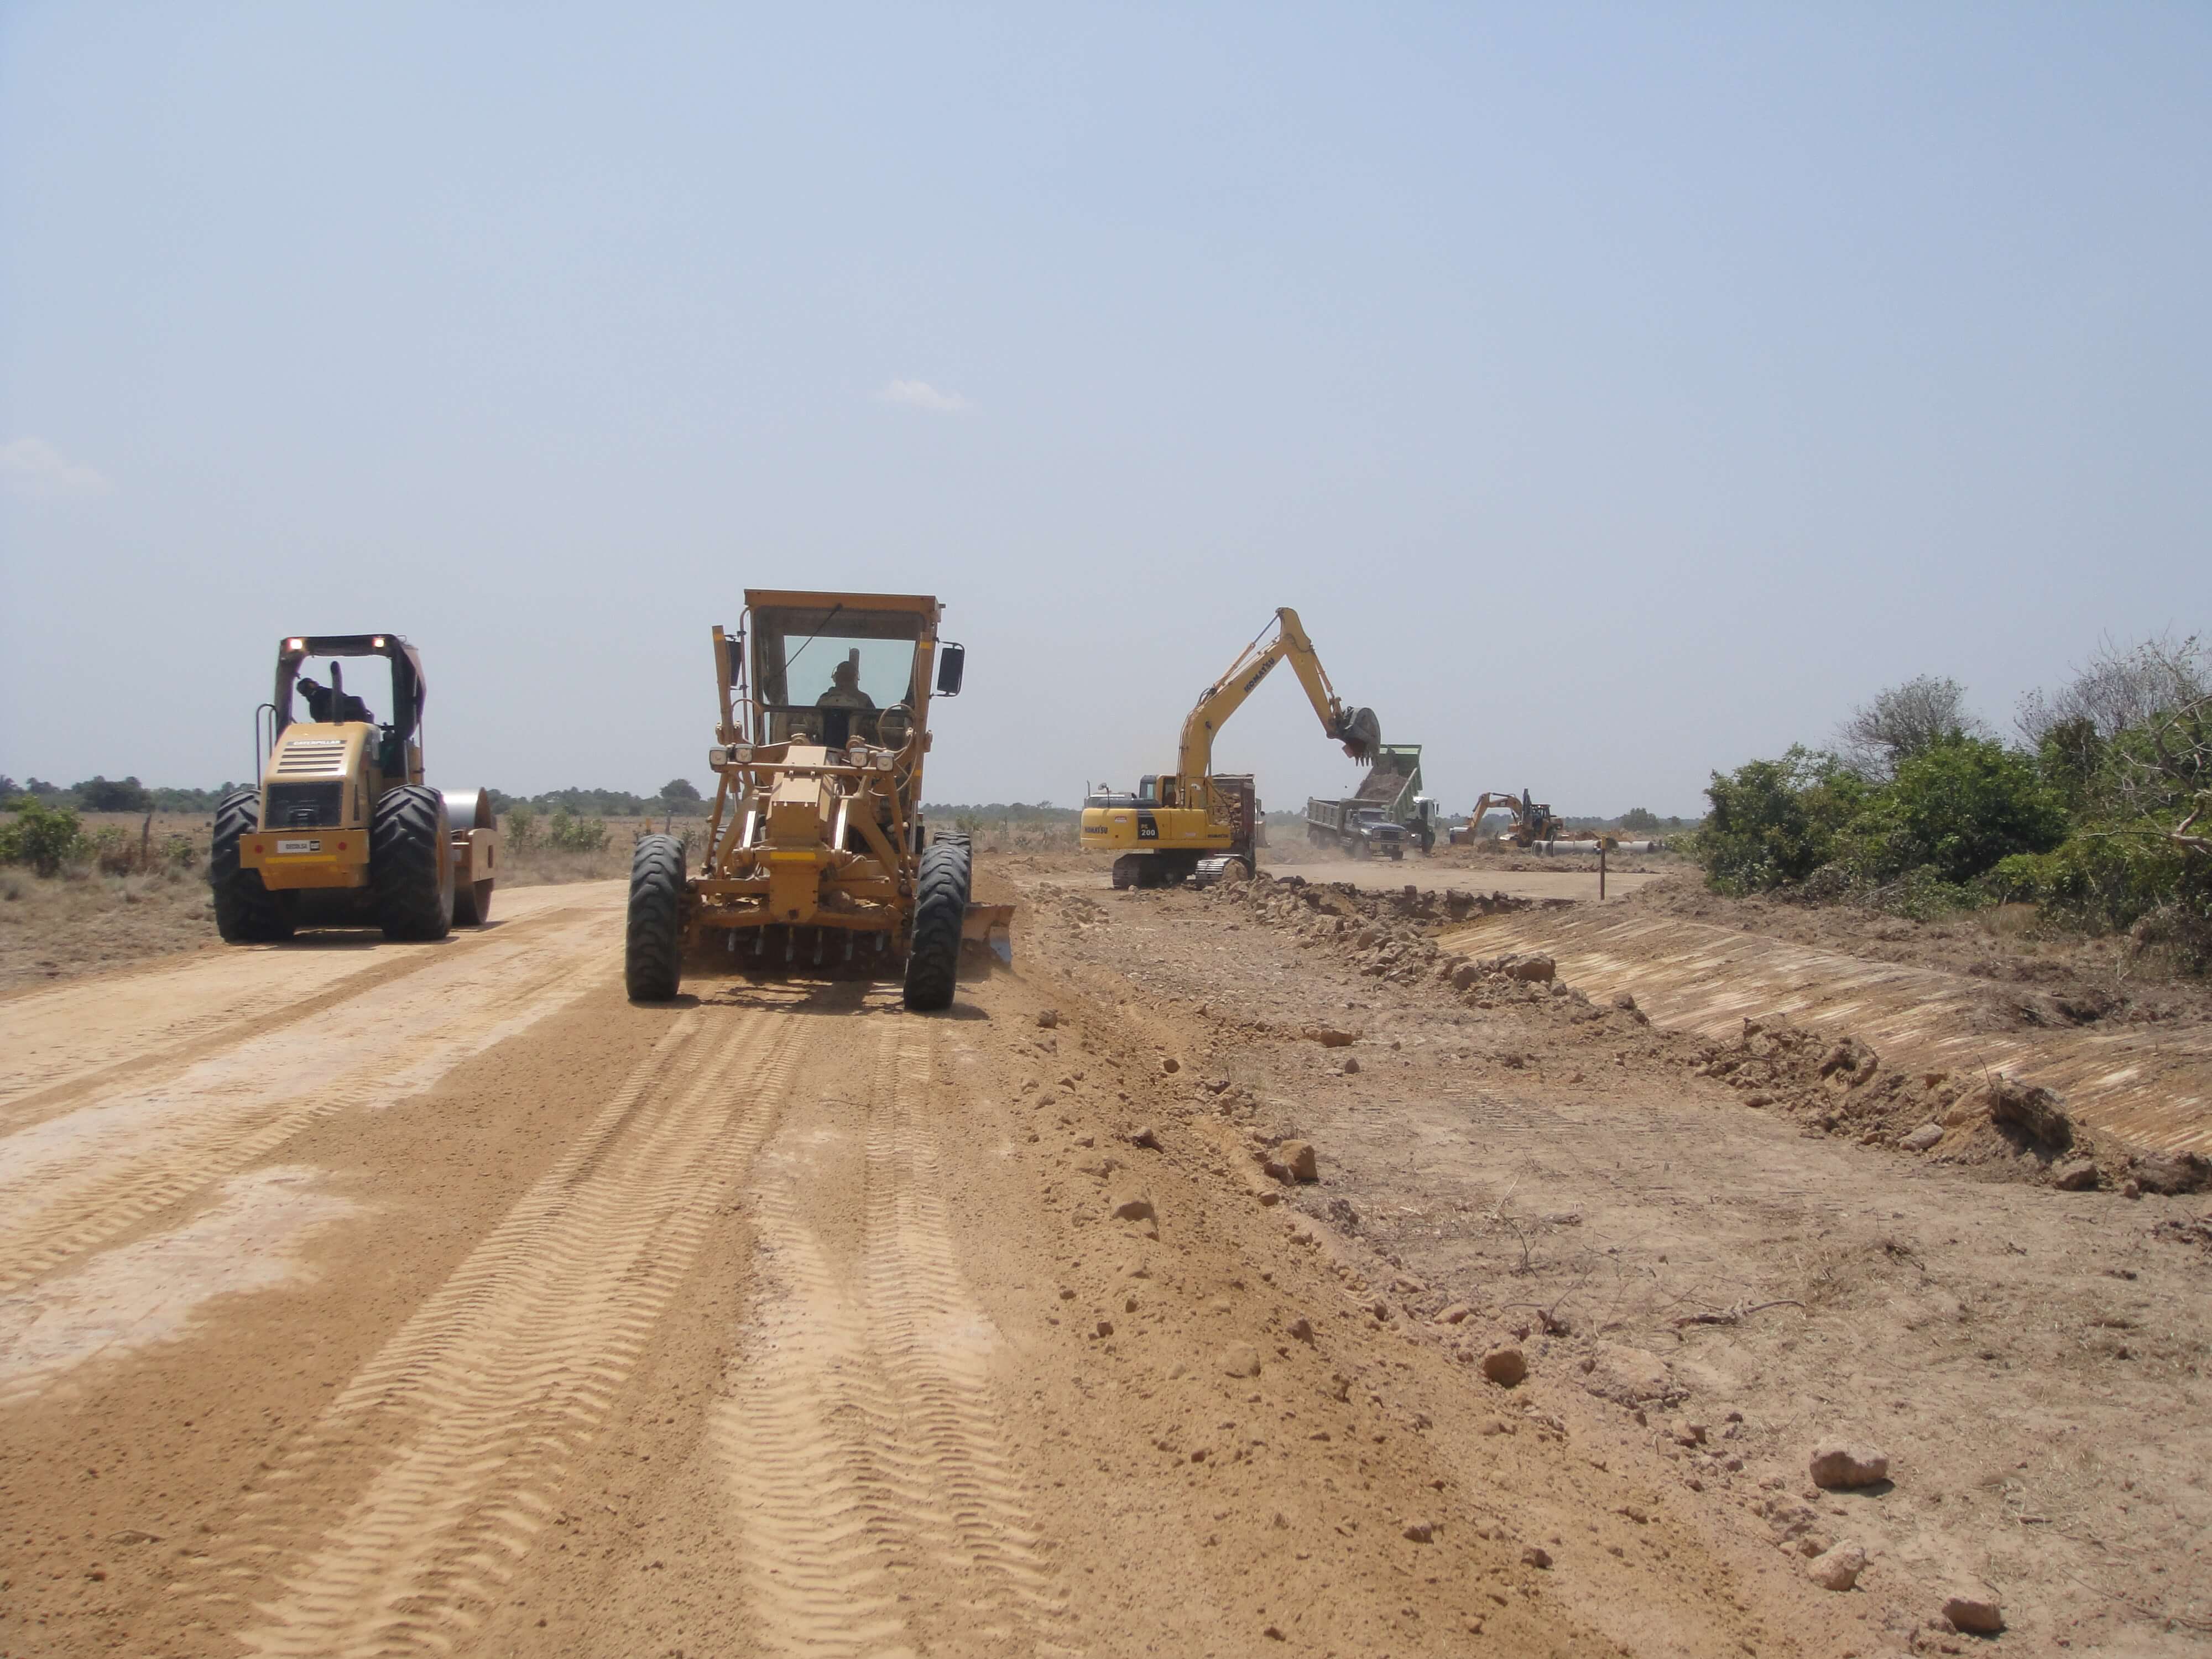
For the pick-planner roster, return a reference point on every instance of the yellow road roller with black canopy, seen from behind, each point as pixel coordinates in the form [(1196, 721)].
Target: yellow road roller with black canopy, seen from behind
[(342, 831)]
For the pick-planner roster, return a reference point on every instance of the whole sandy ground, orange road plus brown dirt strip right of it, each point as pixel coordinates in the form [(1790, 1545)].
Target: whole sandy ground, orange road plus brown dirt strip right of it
[(368, 1300)]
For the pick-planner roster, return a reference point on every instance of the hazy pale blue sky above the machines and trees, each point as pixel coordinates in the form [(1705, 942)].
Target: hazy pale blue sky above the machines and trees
[(1618, 393)]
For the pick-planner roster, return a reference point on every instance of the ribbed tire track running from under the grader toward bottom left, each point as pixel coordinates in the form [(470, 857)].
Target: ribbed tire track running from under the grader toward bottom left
[(486, 1397)]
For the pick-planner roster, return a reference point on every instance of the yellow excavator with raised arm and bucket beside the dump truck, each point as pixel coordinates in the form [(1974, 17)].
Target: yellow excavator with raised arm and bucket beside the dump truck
[(1193, 824)]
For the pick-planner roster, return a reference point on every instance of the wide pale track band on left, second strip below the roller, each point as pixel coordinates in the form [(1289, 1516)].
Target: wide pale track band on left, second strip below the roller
[(90, 1176)]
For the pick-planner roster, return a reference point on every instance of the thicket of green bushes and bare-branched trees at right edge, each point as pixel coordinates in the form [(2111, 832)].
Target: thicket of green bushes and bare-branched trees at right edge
[(2096, 813)]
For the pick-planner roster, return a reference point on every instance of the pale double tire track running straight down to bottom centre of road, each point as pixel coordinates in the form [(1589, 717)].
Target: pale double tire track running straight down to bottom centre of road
[(862, 1434)]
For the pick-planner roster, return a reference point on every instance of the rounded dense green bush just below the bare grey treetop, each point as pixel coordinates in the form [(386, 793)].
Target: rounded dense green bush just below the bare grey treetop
[(1957, 808)]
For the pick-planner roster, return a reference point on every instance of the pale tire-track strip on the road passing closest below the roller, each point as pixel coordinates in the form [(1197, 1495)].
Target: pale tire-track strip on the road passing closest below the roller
[(90, 1039)]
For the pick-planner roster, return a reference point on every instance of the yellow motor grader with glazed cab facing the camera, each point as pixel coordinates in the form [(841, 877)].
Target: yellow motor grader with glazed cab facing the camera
[(815, 851)]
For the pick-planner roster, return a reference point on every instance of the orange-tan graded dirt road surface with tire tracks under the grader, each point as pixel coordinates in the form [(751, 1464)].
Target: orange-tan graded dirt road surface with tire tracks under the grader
[(377, 1300)]
